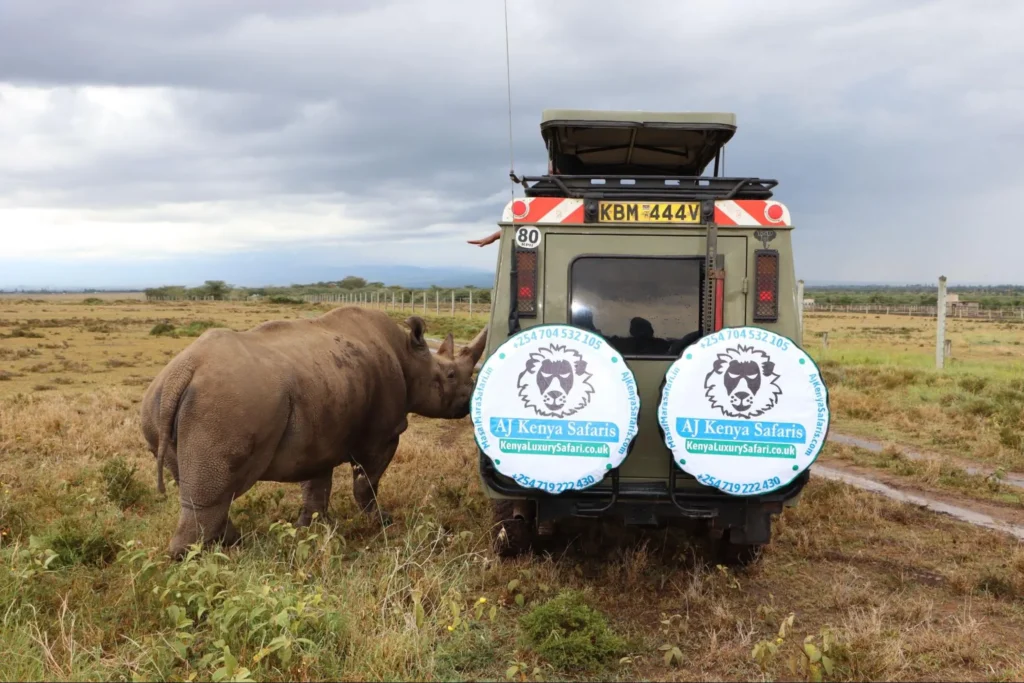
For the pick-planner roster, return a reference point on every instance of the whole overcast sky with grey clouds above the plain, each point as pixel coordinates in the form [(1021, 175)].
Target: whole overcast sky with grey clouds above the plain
[(379, 131)]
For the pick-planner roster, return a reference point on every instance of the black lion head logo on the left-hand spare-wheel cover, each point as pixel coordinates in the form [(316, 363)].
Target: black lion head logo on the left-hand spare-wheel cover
[(556, 382)]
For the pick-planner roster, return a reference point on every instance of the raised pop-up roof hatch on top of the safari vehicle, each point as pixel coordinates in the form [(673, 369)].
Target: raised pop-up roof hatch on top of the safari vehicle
[(586, 143)]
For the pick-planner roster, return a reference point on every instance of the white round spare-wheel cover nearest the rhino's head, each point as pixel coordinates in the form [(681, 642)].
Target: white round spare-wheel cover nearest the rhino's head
[(556, 408)]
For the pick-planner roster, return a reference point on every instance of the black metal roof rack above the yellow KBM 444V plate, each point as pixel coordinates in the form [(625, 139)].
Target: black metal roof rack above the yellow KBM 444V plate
[(658, 188)]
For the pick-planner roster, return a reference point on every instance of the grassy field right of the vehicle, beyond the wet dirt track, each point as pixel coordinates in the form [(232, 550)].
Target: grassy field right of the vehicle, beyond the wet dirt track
[(883, 383)]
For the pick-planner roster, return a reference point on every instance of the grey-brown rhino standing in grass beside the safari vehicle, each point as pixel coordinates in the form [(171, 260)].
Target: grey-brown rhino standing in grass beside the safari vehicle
[(289, 401)]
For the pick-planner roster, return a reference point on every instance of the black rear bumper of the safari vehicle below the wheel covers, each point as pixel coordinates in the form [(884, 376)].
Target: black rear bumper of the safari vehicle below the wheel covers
[(652, 502)]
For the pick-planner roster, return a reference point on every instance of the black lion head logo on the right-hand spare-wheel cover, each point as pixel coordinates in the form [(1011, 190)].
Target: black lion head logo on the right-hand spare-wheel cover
[(743, 383)]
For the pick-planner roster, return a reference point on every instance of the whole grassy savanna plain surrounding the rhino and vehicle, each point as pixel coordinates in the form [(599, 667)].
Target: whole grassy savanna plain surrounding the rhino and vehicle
[(854, 586)]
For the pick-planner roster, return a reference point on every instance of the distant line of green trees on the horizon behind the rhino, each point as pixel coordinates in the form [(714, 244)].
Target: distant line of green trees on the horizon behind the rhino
[(220, 290)]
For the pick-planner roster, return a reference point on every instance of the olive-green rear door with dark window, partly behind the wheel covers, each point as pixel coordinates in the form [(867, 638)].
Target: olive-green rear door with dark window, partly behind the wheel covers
[(642, 290)]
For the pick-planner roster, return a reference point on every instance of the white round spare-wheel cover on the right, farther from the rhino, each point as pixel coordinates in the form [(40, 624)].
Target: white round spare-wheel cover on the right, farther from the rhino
[(745, 411)]
